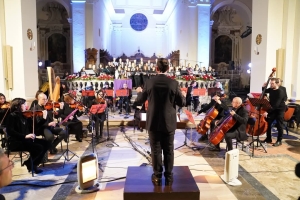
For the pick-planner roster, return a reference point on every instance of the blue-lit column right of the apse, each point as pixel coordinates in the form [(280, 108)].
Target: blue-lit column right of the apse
[(203, 33)]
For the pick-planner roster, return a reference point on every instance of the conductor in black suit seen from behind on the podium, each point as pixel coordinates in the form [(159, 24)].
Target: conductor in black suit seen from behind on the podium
[(163, 94)]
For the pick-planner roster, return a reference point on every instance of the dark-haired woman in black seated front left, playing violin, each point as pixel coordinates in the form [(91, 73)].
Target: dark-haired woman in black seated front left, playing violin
[(22, 138)]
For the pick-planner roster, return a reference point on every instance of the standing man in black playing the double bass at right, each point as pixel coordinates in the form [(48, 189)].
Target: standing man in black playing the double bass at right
[(277, 98)]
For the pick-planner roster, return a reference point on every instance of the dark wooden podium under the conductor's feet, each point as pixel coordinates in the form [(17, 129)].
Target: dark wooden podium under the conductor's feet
[(138, 185)]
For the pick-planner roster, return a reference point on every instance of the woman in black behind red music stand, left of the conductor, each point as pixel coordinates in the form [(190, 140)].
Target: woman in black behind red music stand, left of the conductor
[(100, 117)]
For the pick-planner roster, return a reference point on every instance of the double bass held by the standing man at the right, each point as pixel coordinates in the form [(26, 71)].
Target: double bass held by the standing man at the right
[(261, 125)]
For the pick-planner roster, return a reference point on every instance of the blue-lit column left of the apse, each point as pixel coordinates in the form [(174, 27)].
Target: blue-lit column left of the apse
[(78, 29)]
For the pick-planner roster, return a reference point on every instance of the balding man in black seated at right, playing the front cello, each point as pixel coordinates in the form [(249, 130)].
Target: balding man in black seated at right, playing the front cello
[(238, 131)]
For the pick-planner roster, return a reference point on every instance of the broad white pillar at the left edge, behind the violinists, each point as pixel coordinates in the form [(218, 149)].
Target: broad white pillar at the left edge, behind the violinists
[(19, 17)]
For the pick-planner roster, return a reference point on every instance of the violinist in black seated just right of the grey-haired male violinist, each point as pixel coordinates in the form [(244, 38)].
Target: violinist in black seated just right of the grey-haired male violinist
[(74, 125)]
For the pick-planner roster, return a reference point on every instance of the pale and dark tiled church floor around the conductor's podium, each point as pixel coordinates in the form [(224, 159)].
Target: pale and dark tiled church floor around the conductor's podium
[(265, 176)]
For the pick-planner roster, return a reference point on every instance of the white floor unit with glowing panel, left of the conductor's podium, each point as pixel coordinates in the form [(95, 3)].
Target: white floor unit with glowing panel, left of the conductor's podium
[(87, 174)]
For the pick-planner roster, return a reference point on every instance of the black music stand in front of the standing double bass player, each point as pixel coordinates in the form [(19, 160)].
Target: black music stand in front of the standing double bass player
[(259, 103)]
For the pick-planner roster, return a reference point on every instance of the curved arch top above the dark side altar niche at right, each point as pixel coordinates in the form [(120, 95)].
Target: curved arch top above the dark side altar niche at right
[(235, 4)]
